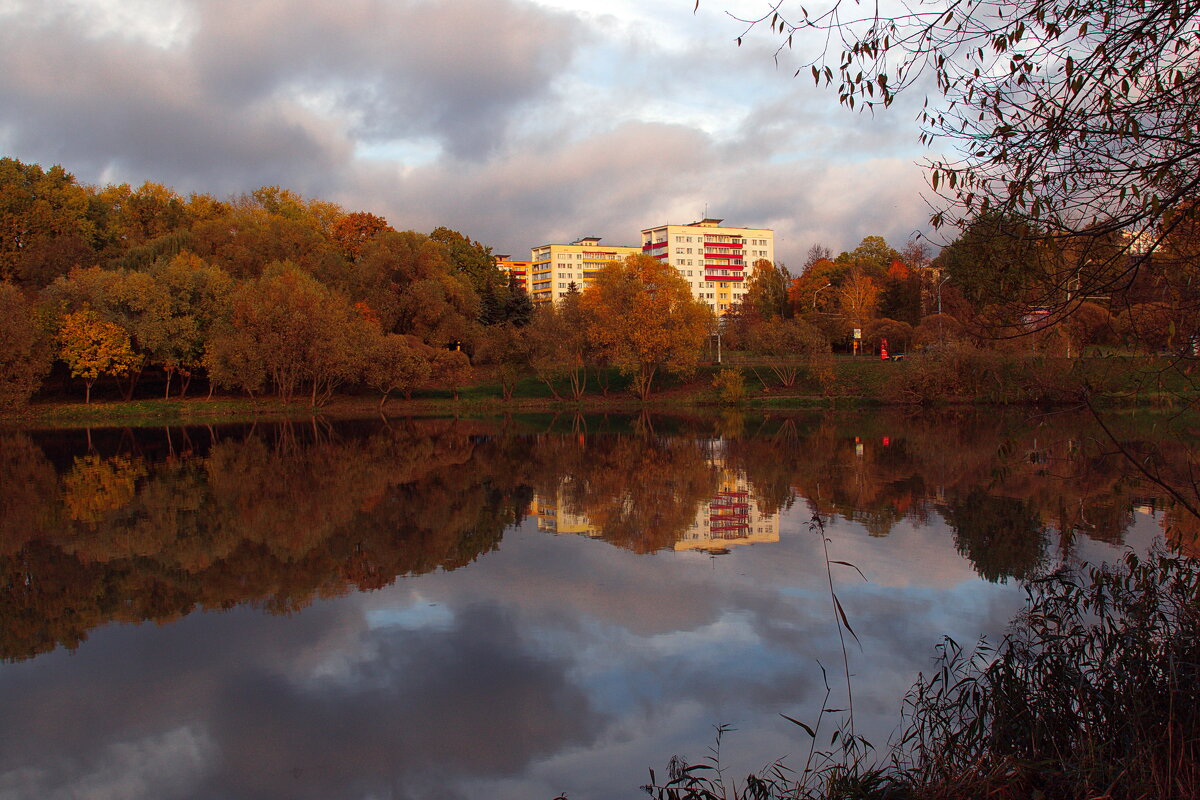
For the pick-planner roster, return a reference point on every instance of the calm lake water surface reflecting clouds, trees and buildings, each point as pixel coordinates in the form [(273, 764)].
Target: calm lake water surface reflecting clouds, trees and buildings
[(512, 609)]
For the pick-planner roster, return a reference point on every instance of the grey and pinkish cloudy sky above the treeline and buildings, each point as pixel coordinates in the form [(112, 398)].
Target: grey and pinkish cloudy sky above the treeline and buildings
[(517, 122)]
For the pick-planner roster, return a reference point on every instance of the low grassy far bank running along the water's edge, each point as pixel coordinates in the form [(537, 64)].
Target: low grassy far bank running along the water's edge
[(859, 383)]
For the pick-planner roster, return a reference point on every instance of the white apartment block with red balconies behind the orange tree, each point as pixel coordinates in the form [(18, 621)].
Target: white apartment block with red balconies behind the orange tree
[(716, 261)]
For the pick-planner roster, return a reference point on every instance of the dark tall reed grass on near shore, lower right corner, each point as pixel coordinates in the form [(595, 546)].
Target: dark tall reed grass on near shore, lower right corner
[(1094, 694)]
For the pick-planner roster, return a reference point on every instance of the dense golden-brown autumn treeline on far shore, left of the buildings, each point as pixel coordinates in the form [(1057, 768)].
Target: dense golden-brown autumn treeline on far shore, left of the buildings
[(269, 292)]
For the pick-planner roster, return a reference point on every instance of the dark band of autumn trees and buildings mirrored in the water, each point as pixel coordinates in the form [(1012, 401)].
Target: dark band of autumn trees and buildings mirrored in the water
[(152, 525)]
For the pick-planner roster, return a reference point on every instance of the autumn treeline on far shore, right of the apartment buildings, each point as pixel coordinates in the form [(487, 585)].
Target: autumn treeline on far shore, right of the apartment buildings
[(1004, 286)]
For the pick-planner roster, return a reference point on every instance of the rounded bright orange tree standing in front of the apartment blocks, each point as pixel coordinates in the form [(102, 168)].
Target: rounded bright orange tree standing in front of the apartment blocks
[(645, 320)]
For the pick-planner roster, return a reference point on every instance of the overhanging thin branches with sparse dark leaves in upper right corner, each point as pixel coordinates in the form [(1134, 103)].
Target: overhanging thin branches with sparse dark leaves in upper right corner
[(1076, 118)]
